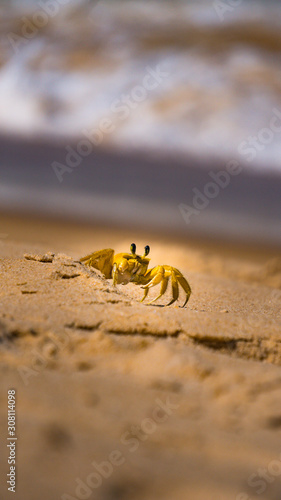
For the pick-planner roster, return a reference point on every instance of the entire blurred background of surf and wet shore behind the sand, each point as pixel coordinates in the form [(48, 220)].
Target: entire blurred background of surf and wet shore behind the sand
[(122, 113)]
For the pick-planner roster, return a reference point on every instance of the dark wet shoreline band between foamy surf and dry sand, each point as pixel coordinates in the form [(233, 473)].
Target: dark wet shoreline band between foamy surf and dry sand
[(143, 190)]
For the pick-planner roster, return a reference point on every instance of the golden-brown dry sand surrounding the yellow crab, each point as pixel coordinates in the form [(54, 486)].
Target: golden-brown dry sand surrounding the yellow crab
[(189, 397)]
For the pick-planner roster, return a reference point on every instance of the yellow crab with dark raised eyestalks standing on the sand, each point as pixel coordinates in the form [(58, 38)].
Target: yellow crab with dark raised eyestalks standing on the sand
[(127, 268)]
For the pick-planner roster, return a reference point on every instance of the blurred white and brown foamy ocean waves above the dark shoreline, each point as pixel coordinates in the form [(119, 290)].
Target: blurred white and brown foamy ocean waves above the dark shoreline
[(200, 78)]
